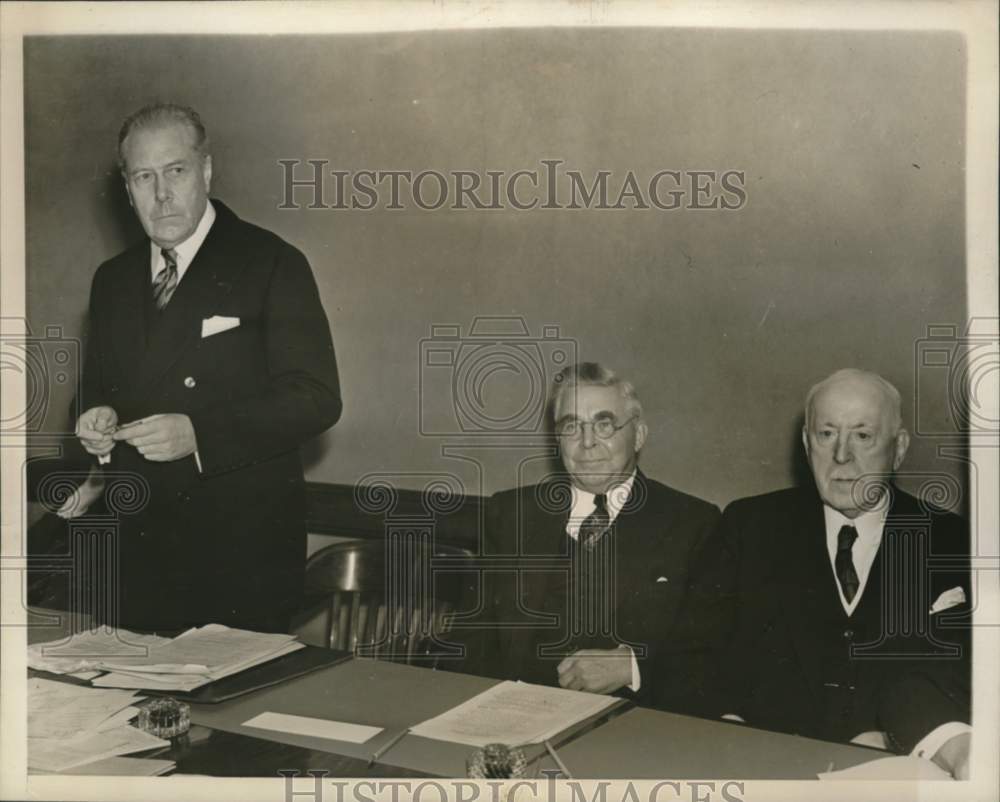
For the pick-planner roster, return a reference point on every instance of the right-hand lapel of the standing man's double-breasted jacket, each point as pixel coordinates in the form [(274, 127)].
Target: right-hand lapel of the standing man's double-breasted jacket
[(208, 279)]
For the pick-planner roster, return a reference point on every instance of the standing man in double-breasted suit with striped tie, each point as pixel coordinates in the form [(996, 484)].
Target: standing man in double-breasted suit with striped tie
[(209, 362)]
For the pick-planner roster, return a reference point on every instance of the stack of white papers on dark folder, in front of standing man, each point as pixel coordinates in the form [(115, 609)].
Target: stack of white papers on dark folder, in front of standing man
[(195, 658)]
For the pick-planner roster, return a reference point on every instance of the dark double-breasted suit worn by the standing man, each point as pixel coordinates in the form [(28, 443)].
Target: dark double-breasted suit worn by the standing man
[(228, 543)]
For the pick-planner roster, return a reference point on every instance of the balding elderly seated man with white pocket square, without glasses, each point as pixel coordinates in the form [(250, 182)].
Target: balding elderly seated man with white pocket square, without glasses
[(839, 591)]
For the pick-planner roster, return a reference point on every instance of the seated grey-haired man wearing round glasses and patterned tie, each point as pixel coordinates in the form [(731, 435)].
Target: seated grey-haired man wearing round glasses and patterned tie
[(586, 572)]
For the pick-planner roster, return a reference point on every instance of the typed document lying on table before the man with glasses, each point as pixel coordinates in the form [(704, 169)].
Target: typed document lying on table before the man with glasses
[(514, 713)]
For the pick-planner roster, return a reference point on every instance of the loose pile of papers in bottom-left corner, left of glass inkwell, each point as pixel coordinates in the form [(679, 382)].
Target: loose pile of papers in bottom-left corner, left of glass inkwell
[(71, 725)]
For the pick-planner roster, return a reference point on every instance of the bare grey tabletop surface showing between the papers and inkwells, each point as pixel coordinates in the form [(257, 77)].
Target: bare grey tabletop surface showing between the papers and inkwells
[(635, 743)]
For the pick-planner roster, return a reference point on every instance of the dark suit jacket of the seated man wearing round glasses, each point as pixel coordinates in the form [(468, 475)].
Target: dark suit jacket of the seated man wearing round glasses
[(529, 578)]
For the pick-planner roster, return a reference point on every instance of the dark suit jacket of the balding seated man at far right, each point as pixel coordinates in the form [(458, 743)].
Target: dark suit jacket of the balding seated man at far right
[(789, 662)]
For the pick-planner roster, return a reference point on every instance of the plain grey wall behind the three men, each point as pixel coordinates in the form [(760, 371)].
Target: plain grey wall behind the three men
[(850, 245)]
